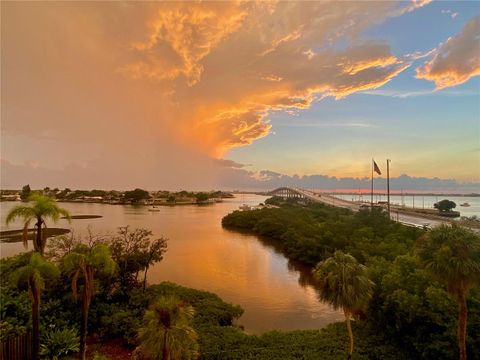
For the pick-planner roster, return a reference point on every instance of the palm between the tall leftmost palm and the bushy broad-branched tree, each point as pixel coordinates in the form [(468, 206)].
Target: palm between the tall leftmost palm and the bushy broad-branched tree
[(83, 262)]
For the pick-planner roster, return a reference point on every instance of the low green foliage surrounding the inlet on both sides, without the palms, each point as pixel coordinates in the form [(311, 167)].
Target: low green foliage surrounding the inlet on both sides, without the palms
[(410, 316)]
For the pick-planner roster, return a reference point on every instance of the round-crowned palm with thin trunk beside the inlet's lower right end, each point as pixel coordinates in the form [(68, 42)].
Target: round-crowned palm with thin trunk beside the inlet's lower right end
[(344, 284)]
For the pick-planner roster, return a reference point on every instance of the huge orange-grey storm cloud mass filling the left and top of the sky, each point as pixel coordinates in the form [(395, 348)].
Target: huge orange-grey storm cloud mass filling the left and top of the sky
[(121, 94)]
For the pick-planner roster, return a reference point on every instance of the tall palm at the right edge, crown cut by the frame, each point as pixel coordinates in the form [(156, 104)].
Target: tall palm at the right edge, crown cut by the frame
[(451, 254)]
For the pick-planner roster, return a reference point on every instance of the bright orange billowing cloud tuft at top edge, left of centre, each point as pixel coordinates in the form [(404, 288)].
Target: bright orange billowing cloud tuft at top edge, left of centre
[(180, 36)]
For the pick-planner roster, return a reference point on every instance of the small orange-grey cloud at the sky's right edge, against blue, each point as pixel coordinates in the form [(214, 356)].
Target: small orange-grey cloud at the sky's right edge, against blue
[(456, 60)]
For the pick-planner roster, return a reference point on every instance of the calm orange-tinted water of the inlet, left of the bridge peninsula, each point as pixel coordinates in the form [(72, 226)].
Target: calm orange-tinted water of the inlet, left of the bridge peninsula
[(241, 269)]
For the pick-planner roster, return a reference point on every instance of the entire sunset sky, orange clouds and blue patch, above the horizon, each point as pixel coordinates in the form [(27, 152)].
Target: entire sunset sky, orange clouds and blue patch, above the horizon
[(240, 95)]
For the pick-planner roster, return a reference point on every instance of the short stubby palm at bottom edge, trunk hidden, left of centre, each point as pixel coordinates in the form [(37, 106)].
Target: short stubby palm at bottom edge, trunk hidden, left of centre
[(167, 333)]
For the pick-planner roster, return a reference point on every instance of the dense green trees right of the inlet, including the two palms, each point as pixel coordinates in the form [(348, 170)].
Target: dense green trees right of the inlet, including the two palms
[(412, 284)]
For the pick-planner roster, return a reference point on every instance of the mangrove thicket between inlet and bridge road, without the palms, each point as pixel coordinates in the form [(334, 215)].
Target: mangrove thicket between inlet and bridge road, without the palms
[(408, 305)]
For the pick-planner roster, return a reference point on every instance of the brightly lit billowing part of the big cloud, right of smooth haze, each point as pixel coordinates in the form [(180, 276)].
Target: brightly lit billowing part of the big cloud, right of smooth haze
[(242, 60)]
